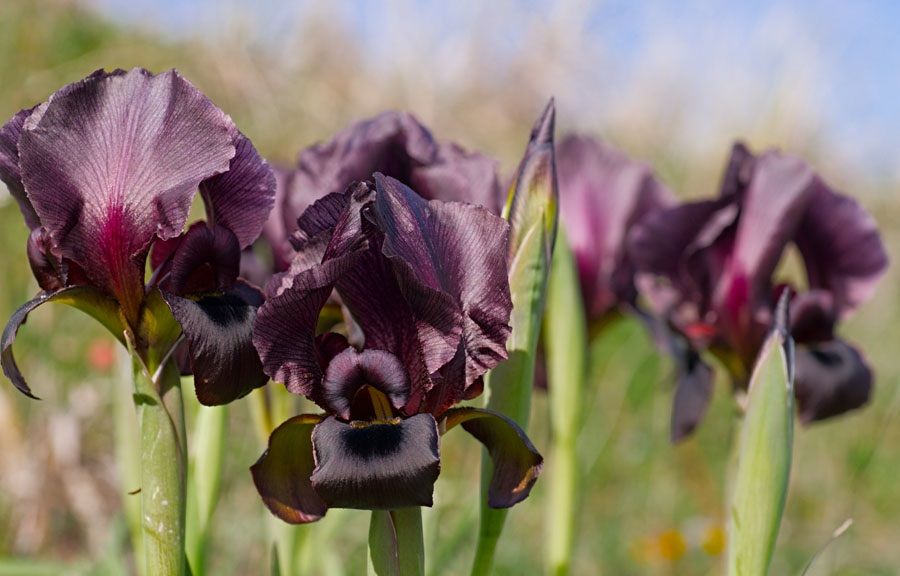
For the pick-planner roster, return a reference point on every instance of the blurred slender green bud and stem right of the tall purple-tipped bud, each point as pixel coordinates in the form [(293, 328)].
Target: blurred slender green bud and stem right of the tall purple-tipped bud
[(565, 343)]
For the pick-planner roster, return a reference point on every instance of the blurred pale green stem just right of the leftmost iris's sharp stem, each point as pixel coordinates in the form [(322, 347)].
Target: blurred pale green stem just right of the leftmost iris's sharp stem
[(204, 480)]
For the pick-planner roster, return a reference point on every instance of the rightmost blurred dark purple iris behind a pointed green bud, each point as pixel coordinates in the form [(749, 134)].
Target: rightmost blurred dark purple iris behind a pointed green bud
[(710, 267)]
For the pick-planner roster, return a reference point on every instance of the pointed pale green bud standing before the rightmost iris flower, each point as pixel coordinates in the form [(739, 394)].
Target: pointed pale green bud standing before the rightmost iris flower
[(764, 455)]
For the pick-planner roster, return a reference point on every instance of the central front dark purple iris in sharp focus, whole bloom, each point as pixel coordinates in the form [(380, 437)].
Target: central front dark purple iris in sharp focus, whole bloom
[(425, 287)]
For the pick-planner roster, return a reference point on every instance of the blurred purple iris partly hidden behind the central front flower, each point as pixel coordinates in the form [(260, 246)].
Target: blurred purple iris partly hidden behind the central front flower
[(393, 143)]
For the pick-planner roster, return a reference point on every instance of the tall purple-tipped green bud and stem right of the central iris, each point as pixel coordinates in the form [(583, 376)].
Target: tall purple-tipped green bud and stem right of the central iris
[(532, 213)]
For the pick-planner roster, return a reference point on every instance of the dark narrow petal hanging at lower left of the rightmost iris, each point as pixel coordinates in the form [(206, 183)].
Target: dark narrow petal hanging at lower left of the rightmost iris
[(692, 395)]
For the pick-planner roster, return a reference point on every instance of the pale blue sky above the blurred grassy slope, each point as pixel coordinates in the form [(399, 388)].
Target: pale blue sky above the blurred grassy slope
[(848, 53)]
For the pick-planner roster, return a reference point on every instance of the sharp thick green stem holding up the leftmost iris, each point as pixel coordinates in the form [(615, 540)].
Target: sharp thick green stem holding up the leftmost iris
[(163, 469)]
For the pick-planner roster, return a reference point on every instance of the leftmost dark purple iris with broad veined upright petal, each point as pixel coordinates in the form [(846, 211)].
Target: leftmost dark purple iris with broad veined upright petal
[(104, 172)]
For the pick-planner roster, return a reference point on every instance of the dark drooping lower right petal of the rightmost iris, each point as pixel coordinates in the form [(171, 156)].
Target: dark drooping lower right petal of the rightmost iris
[(831, 378)]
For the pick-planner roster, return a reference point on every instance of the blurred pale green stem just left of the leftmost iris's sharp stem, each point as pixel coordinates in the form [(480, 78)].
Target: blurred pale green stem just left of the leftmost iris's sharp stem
[(128, 458)]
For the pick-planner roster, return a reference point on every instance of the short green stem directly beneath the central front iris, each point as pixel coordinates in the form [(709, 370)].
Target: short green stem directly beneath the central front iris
[(396, 544)]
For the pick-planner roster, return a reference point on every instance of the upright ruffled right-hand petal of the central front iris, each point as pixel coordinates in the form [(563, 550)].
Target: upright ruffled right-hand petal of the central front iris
[(450, 260)]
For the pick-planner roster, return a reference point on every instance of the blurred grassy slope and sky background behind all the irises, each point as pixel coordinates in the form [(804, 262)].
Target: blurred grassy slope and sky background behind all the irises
[(672, 83)]
